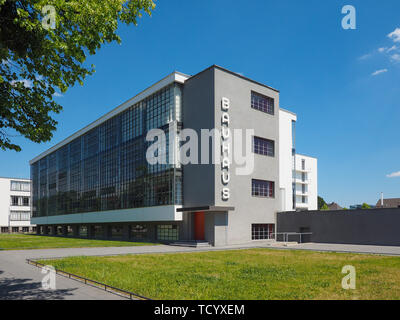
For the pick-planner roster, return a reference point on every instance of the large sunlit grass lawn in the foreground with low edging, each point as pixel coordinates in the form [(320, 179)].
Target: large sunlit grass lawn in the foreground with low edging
[(242, 274)]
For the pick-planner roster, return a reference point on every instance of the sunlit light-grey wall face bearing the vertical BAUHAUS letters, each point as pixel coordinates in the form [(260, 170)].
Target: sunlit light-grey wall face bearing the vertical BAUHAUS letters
[(248, 209)]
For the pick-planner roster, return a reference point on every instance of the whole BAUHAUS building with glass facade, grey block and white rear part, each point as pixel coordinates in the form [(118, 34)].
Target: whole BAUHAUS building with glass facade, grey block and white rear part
[(99, 183)]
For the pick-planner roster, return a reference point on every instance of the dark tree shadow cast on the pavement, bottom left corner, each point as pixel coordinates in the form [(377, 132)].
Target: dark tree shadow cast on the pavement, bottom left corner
[(26, 289)]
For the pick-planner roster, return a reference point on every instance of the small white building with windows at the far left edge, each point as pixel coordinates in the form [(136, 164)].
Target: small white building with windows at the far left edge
[(15, 205)]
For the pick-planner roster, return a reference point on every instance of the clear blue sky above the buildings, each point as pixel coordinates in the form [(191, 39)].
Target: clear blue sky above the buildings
[(347, 117)]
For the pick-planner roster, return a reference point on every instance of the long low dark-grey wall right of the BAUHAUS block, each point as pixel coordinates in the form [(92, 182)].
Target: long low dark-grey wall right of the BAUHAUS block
[(369, 227)]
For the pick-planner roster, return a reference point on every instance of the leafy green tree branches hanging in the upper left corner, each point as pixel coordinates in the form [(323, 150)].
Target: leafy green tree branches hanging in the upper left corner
[(41, 57)]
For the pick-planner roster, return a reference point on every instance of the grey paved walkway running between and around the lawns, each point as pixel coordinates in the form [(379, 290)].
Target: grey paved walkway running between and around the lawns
[(18, 280)]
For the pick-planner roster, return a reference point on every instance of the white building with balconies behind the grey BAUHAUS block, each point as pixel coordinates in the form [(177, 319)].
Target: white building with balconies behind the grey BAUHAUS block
[(298, 173)]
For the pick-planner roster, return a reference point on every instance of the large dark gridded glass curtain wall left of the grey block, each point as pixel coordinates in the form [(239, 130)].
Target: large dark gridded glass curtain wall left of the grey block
[(106, 168)]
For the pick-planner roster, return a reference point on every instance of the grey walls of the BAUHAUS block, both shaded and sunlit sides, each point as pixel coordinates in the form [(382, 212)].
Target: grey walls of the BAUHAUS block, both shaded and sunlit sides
[(202, 96)]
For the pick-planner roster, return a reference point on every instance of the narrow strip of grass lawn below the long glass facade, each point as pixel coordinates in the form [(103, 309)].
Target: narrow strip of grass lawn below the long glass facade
[(23, 241)]
